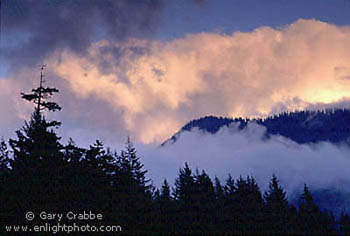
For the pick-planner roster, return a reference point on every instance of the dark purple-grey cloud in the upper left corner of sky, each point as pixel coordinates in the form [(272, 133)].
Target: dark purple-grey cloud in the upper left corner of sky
[(33, 28)]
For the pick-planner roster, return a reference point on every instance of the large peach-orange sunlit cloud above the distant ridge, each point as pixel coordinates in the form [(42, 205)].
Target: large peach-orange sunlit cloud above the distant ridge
[(159, 86)]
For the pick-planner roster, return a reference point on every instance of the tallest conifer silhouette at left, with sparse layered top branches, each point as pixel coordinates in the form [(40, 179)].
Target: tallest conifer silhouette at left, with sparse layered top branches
[(37, 163)]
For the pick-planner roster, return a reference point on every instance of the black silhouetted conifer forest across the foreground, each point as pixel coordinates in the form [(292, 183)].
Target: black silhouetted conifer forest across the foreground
[(40, 174)]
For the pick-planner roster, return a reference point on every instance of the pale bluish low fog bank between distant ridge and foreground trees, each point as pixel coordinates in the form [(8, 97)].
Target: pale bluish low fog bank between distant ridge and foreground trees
[(230, 151)]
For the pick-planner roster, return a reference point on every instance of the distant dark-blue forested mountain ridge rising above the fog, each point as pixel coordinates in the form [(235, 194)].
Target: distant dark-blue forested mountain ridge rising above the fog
[(331, 125)]
